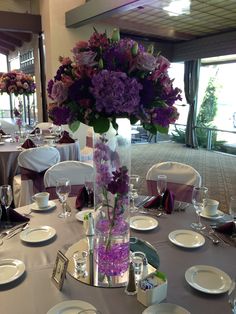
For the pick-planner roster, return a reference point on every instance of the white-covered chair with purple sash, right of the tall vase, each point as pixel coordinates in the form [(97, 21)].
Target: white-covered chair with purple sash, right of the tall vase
[(181, 178)]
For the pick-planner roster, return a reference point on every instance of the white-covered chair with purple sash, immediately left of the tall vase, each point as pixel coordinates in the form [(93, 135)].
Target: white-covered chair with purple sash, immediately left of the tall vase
[(76, 171)]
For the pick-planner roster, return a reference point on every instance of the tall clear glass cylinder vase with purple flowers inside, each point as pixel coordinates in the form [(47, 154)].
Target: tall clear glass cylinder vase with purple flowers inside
[(112, 163)]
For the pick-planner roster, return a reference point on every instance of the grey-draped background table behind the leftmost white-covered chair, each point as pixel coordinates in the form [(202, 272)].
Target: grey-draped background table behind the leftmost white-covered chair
[(10, 151)]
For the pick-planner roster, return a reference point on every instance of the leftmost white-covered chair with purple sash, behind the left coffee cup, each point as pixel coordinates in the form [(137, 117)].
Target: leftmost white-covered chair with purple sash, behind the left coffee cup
[(33, 163)]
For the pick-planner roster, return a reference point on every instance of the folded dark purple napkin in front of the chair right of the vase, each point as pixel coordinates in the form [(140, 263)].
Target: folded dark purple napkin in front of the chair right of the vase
[(167, 202)]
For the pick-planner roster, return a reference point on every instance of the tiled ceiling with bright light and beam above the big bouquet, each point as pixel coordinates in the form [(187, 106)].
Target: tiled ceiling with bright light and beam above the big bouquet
[(167, 20)]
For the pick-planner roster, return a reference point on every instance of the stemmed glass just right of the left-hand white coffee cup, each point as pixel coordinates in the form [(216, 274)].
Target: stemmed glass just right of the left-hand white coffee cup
[(63, 189)]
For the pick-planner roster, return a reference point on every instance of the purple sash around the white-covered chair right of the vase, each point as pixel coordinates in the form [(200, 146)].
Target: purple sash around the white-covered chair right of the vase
[(182, 192)]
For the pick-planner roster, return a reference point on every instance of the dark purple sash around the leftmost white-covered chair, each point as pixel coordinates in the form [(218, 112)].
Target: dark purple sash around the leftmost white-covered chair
[(36, 177)]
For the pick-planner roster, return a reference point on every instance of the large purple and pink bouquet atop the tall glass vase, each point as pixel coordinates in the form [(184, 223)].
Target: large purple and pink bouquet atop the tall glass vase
[(112, 78)]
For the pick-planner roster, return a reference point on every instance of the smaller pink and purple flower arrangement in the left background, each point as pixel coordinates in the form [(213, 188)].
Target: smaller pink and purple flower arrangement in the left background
[(17, 83)]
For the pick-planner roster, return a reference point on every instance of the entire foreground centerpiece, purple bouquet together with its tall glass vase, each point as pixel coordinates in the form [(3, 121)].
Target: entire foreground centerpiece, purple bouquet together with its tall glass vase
[(109, 79)]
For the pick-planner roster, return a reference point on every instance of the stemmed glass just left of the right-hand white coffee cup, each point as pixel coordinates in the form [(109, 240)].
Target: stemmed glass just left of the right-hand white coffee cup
[(198, 197)]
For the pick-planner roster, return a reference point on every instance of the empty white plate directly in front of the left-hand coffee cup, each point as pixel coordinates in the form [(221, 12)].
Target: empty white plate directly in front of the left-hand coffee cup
[(37, 234)]
